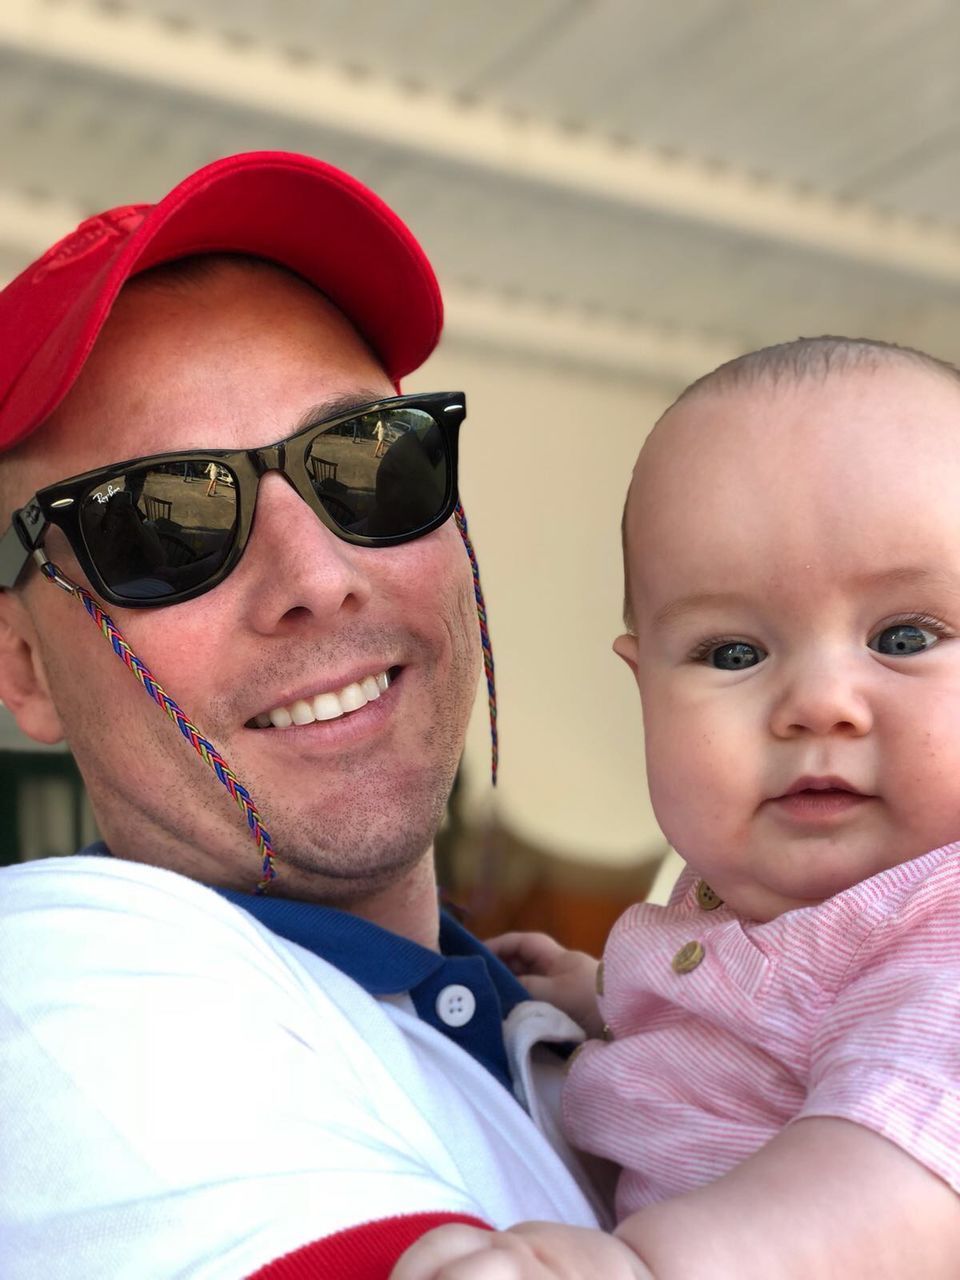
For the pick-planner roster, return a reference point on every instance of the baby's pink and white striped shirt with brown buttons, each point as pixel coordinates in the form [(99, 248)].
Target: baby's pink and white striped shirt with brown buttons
[(848, 1009)]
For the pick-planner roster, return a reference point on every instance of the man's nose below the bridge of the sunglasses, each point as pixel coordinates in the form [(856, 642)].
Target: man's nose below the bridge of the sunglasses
[(295, 570)]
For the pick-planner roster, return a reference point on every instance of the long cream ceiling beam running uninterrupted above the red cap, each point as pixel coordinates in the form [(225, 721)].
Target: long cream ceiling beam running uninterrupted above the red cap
[(124, 44)]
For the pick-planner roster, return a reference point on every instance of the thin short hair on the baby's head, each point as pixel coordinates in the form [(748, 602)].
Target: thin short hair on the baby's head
[(793, 363)]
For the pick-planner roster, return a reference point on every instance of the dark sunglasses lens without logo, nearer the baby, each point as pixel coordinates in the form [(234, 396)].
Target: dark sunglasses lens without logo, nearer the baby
[(382, 476)]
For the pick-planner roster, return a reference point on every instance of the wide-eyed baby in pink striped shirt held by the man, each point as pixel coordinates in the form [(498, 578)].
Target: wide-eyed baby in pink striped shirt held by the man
[(778, 1064)]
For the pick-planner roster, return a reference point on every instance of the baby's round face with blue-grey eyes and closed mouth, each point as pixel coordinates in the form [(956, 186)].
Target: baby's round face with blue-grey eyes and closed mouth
[(796, 583)]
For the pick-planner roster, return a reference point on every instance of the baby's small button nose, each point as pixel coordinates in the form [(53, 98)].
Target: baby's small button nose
[(822, 697)]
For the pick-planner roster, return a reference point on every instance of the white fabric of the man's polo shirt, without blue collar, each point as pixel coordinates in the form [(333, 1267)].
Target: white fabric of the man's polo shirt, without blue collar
[(186, 1094)]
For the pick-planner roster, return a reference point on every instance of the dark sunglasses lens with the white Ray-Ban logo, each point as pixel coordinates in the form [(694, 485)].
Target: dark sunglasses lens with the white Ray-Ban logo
[(163, 529)]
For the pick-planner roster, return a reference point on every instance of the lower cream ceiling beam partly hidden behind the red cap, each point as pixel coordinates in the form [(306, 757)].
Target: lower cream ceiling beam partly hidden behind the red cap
[(525, 328)]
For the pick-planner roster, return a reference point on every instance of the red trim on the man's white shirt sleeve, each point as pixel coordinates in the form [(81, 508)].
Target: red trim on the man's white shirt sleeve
[(365, 1252)]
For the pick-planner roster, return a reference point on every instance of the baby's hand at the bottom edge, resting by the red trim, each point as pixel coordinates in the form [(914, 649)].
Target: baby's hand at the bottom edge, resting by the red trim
[(533, 1251)]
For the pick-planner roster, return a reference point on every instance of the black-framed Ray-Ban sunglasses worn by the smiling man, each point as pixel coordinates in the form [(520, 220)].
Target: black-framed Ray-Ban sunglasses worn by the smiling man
[(163, 529)]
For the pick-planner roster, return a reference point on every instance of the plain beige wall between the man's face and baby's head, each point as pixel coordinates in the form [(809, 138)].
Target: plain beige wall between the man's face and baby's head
[(546, 459)]
